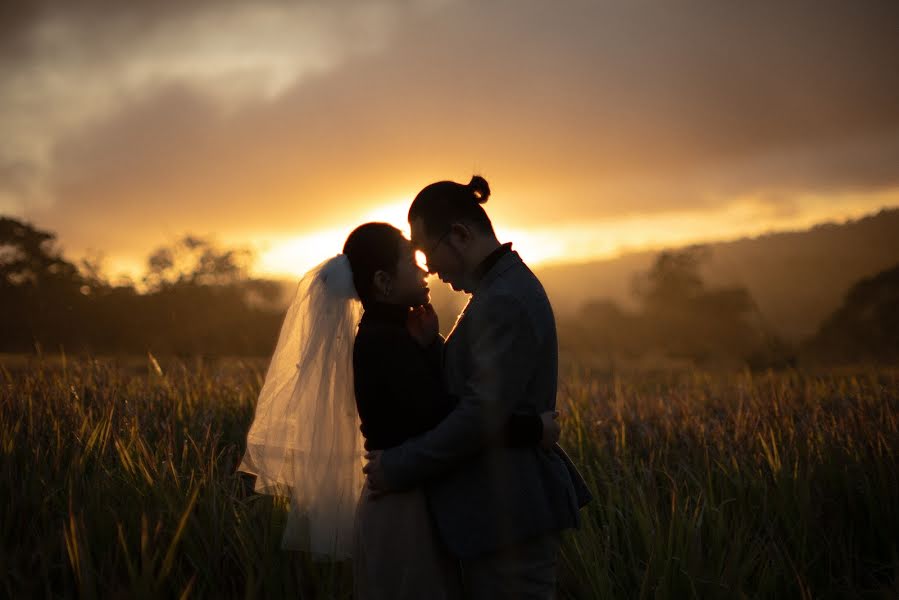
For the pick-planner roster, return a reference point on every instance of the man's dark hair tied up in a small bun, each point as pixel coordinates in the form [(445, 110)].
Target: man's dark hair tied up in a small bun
[(441, 204)]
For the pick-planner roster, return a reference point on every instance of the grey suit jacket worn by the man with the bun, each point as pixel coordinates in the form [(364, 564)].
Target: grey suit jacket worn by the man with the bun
[(501, 358)]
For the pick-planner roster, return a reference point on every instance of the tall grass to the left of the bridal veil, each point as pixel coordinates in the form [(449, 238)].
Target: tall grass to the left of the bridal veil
[(122, 484)]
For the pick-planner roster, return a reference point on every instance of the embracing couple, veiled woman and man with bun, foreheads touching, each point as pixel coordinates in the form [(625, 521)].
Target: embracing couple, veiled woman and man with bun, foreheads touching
[(465, 490)]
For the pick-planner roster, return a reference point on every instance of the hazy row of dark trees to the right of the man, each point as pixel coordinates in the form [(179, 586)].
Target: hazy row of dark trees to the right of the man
[(679, 316)]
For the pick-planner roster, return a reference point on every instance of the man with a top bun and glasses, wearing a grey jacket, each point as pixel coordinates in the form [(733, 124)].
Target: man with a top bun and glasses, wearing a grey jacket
[(499, 509)]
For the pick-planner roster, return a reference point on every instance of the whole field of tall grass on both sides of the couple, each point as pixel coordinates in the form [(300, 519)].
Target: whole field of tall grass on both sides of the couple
[(118, 481)]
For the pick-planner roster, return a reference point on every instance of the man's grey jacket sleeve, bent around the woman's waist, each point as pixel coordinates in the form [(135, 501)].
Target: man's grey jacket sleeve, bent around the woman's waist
[(503, 347)]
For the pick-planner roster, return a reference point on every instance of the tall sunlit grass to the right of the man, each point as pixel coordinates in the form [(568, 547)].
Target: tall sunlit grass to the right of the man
[(735, 486)]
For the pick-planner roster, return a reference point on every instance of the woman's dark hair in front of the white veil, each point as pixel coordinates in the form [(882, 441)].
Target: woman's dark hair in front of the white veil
[(370, 248)]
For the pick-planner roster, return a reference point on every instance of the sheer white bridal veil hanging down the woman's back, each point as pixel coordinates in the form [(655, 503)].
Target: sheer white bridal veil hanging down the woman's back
[(305, 441)]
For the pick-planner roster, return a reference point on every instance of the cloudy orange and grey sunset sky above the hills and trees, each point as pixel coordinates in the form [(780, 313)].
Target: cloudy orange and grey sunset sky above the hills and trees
[(601, 126)]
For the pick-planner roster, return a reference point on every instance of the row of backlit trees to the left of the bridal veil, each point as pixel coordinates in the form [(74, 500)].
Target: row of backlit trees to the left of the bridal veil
[(194, 298)]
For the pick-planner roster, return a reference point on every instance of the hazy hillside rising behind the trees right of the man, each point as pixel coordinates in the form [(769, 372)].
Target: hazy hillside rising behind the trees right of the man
[(797, 278)]
